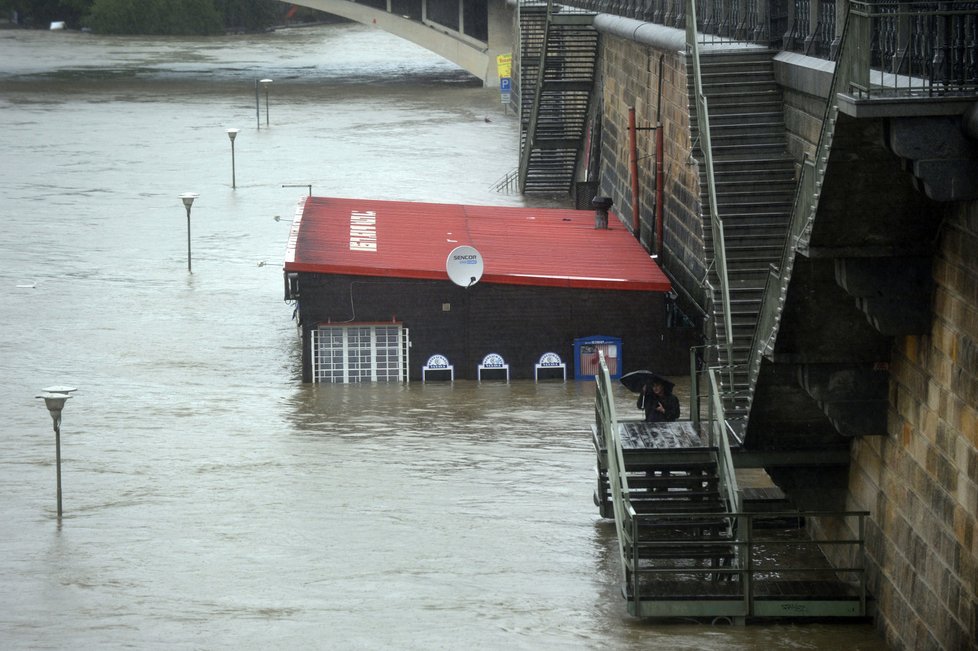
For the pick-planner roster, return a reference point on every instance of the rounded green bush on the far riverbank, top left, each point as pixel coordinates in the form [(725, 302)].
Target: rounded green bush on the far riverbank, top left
[(178, 17)]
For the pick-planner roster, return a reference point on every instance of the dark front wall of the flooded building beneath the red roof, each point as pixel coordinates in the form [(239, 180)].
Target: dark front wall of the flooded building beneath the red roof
[(518, 322)]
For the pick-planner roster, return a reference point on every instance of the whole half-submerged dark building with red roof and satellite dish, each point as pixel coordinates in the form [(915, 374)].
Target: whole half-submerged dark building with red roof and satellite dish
[(375, 300)]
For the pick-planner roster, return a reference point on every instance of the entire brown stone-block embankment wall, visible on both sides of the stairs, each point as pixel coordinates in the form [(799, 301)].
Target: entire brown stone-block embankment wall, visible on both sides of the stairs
[(920, 481)]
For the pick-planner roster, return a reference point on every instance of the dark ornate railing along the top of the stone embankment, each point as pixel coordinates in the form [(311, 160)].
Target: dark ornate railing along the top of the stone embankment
[(908, 40)]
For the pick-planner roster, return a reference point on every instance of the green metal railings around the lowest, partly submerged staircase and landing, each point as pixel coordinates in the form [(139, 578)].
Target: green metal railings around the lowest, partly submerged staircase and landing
[(770, 571)]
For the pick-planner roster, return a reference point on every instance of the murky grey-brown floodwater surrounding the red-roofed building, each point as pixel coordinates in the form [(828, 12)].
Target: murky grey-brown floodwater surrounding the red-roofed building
[(211, 500)]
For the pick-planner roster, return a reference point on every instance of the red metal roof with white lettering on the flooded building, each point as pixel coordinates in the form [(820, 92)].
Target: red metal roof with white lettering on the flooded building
[(519, 246)]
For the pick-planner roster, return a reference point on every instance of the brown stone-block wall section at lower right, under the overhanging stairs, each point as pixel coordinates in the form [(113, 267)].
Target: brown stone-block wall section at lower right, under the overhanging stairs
[(921, 480)]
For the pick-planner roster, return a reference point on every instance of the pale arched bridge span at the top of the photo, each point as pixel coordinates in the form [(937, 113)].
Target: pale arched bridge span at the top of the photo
[(413, 21)]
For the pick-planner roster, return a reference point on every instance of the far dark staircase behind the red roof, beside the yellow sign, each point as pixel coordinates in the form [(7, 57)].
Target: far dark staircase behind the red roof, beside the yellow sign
[(558, 54)]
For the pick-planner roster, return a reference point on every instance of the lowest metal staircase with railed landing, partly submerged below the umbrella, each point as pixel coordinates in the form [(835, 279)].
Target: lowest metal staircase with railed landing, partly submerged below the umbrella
[(687, 546)]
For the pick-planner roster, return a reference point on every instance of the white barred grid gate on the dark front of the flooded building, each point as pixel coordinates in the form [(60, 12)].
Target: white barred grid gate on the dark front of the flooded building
[(360, 353)]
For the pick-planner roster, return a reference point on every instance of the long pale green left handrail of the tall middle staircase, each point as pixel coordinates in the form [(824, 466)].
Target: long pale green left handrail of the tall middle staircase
[(716, 225)]
